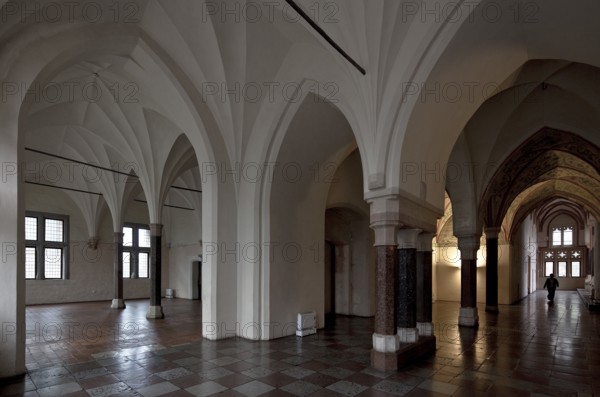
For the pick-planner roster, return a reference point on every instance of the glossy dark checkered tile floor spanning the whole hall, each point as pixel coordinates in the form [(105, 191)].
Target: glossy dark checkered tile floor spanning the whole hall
[(529, 349)]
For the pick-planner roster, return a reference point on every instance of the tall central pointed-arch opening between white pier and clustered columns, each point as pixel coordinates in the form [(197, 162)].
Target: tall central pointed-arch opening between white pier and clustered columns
[(319, 179)]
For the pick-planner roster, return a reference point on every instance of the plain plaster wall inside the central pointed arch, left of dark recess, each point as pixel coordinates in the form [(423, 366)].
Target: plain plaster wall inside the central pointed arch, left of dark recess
[(297, 212)]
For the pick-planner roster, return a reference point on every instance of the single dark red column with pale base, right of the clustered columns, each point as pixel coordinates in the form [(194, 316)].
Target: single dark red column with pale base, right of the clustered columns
[(468, 246)]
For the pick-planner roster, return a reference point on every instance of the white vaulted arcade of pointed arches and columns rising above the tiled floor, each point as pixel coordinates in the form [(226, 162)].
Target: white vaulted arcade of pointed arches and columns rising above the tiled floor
[(248, 163)]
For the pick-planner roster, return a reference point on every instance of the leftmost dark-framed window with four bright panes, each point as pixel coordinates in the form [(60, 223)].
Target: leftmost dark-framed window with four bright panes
[(46, 246)]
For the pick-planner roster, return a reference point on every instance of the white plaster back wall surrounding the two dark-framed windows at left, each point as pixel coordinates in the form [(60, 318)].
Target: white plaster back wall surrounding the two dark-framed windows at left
[(91, 272)]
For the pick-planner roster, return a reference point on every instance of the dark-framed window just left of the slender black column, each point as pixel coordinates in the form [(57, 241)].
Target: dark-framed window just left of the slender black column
[(136, 251)]
